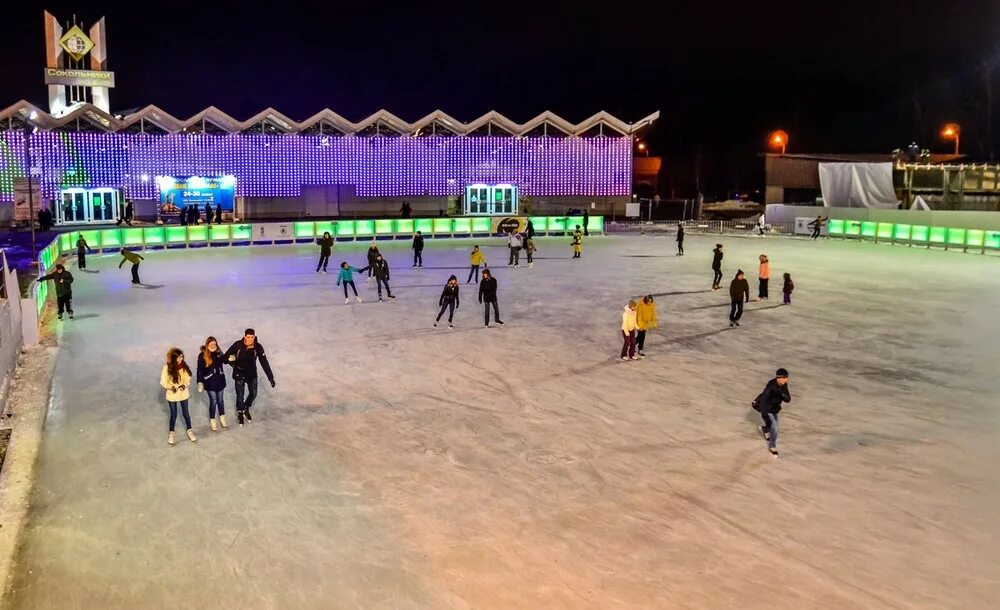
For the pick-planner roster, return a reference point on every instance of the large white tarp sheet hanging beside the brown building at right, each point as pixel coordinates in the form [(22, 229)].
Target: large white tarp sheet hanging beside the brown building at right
[(857, 185)]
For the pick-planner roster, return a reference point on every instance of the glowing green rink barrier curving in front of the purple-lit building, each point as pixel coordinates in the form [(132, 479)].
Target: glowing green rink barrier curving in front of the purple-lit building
[(264, 233)]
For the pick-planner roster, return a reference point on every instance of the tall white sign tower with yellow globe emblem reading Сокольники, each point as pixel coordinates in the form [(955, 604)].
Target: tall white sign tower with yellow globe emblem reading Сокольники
[(76, 65)]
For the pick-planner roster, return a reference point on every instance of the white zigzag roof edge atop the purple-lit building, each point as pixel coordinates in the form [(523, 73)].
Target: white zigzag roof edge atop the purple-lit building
[(88, 117)]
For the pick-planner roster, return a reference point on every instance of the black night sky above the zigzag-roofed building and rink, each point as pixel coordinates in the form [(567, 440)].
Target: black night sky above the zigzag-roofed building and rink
[(838, 76)]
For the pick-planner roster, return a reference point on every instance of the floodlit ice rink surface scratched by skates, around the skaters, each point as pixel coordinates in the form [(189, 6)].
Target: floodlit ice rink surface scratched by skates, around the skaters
[(401, 466)]
